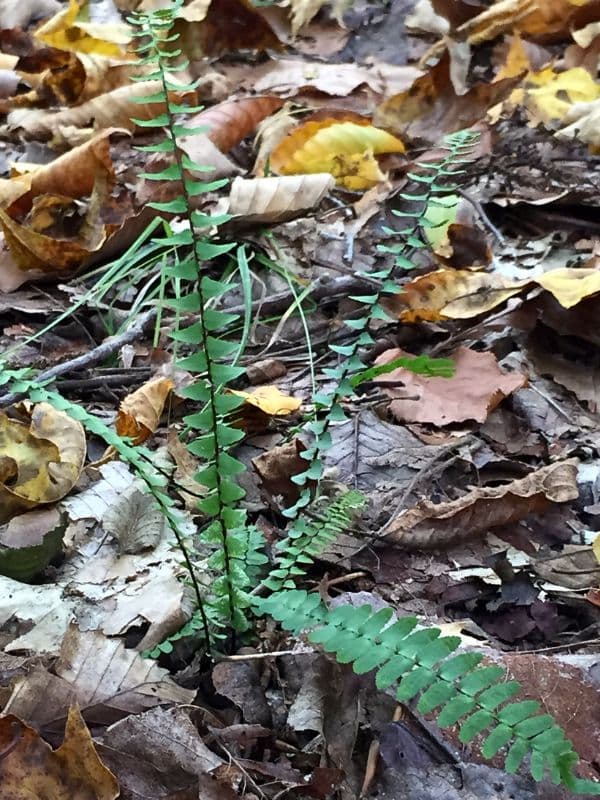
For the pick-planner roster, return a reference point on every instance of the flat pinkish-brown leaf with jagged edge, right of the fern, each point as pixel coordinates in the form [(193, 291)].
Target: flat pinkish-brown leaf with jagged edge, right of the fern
[(476, 388)]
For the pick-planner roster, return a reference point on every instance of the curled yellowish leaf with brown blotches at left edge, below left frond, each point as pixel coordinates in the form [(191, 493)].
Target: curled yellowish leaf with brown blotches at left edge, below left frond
[(39, 462)]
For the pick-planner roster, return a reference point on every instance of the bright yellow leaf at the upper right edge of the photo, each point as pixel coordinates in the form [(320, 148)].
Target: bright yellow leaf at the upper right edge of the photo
[(547, 101)]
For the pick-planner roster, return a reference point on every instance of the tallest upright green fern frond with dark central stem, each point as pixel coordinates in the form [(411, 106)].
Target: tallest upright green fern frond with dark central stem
[(225, 529)]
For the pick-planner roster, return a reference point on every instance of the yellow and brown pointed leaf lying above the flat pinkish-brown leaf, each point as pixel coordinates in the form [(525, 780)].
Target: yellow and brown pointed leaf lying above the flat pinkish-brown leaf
[(451, 294)]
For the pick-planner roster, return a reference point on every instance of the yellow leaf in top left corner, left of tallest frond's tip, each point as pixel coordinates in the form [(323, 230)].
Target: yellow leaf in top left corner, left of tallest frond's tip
[(65, 32)]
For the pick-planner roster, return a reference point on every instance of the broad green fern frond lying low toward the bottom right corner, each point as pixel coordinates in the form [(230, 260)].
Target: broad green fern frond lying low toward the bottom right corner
[(456, 687)]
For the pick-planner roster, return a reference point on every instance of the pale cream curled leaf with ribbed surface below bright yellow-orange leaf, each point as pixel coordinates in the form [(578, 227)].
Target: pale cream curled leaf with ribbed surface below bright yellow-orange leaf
[(269, 200)]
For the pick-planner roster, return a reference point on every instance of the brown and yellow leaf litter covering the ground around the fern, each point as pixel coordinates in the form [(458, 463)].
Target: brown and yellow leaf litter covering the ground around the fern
[(484, 487)]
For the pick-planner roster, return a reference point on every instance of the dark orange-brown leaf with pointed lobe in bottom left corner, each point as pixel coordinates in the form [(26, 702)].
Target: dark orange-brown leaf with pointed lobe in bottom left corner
[(30, 768)]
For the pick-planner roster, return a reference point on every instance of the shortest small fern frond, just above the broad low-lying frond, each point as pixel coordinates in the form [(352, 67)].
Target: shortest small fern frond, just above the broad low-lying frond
[(309, 537)]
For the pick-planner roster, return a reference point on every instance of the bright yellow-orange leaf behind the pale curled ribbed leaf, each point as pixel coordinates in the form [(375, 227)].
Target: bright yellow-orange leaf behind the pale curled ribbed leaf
[(344, 149)]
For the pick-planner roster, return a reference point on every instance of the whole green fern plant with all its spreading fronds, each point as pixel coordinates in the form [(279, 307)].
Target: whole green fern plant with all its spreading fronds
[(457, 688)]
